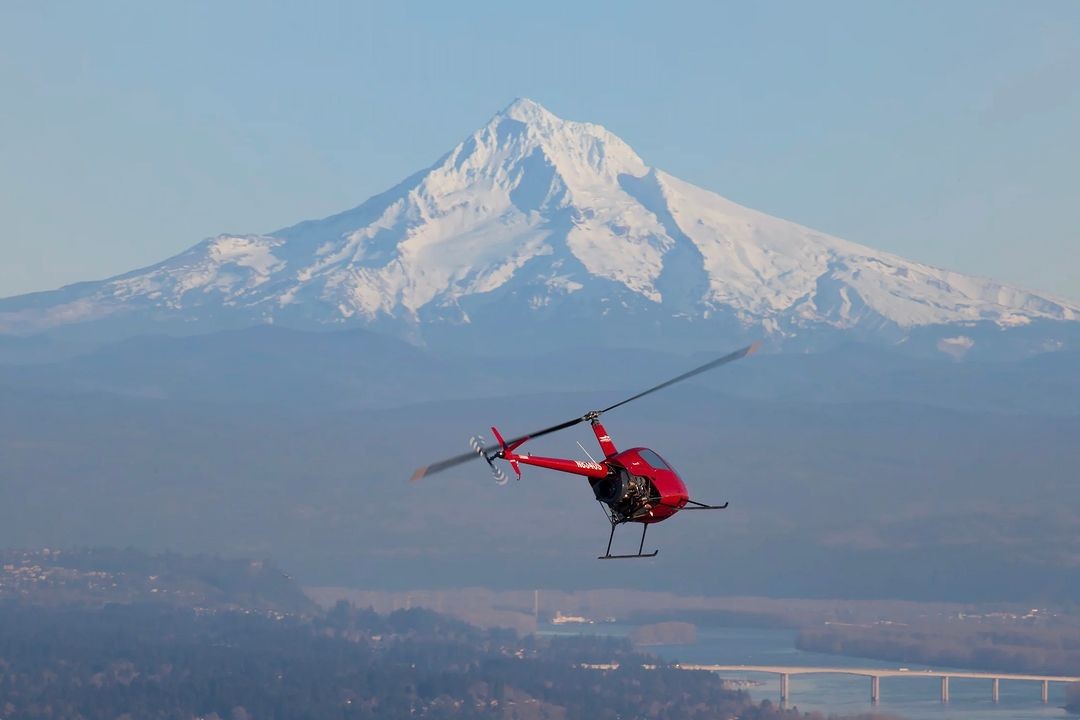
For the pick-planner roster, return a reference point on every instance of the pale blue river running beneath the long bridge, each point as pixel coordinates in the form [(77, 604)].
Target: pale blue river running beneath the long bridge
[(913, 698)]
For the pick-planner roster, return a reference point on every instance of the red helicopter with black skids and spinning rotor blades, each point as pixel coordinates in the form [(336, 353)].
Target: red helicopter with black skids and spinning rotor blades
[(632, 486)]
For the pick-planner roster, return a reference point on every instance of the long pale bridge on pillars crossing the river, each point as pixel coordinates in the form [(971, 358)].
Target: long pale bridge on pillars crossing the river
[(786, 672)]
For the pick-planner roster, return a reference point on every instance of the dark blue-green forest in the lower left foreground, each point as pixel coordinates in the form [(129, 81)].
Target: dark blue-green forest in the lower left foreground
[(157, 661)]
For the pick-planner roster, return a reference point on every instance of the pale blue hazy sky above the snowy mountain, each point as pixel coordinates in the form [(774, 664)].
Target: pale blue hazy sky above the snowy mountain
[(947, 132)]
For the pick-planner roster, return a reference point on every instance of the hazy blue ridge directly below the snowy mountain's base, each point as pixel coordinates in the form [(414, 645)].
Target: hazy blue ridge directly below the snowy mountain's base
[(322, 371)]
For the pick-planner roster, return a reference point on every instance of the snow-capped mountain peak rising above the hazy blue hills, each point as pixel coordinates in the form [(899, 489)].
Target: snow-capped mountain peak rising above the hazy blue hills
[(536, 222)]
